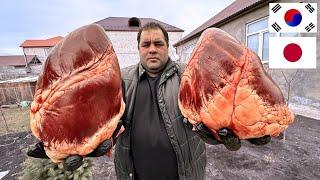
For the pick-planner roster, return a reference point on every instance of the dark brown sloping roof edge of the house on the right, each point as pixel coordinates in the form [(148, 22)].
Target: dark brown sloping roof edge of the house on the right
[(232, 11)]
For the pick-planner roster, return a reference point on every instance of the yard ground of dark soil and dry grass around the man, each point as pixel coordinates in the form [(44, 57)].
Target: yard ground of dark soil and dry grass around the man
[(296, 158)]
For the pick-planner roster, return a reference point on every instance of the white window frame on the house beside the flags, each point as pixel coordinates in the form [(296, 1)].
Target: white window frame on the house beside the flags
[(260, 33)]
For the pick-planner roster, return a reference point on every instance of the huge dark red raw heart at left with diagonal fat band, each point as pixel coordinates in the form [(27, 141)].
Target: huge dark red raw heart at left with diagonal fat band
[(78, 99)]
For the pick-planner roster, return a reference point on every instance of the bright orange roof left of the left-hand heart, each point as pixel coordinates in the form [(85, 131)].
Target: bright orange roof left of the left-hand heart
[(42, 42)]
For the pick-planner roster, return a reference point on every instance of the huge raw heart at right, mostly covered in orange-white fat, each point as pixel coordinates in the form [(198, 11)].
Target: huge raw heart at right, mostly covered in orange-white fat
[(225, 86)]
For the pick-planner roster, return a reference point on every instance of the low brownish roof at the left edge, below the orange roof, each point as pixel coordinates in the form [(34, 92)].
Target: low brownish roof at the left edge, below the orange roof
[(17, 60)]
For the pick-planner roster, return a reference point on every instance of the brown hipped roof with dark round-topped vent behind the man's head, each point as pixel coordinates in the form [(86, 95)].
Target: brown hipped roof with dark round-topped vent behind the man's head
[(122, 24)]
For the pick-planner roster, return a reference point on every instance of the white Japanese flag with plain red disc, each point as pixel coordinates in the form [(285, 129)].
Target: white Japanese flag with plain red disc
[(292, 52)]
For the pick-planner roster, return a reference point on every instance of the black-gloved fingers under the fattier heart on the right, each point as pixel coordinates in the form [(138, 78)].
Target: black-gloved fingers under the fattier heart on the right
[(230, 141)]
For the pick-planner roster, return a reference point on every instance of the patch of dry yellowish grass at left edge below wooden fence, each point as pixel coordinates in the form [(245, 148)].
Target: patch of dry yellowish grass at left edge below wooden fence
[(17, 120)]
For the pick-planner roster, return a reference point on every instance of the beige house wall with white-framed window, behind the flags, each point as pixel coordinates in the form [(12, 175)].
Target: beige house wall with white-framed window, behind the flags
[(247, 20)]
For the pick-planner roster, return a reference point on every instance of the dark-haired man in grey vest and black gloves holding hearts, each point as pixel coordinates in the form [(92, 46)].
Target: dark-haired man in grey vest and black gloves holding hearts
[(158, 142)]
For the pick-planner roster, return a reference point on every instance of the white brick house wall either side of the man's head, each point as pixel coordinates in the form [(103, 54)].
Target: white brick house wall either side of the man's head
[(126, 46)]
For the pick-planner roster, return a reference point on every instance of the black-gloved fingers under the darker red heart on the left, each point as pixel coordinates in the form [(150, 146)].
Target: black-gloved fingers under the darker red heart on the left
[(73, 162)]
